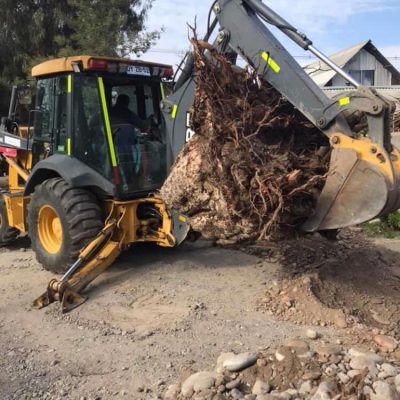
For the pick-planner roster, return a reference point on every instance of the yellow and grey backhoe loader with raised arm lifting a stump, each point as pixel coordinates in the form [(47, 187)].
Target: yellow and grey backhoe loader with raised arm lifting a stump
[(104, 132)]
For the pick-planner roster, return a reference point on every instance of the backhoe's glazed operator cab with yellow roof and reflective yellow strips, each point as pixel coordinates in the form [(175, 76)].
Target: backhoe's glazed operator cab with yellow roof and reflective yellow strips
[(106, 113)]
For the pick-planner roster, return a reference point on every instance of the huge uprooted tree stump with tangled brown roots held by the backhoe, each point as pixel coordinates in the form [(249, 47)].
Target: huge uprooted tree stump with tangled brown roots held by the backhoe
[(255, 166)]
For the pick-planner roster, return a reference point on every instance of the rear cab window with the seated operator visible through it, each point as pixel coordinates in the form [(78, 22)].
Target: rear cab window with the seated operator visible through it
[(138, 137)]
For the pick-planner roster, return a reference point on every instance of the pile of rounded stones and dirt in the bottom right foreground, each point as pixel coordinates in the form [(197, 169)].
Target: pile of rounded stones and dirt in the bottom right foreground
[(299, 370)]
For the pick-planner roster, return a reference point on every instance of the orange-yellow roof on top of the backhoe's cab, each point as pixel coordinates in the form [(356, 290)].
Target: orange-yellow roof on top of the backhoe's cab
[(60, 65)]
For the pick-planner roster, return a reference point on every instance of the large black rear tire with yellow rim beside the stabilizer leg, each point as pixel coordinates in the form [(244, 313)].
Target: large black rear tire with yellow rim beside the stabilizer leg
[(61, 221)]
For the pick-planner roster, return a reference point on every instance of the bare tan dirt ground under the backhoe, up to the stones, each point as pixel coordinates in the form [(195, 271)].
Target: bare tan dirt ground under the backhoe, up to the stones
[(157, 315)]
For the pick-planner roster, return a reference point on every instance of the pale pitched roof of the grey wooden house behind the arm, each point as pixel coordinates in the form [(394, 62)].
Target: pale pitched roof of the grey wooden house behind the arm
[(322, 74)]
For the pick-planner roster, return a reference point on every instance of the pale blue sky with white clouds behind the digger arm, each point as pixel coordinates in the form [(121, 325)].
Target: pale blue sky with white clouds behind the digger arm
[(332, 25)]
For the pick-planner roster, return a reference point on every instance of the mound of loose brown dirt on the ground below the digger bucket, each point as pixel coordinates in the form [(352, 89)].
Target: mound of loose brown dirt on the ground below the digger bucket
[(339, 283)]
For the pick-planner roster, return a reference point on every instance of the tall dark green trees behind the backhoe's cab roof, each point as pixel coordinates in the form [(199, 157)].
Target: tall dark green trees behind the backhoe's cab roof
[(34, 30)]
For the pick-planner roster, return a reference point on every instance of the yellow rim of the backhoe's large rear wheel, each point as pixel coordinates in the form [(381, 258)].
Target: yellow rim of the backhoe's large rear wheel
[(49, 229)]
